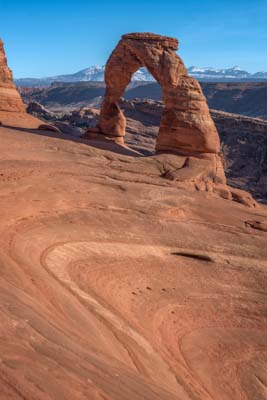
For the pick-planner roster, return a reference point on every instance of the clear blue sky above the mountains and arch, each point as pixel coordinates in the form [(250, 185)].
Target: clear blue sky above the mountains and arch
[(46, 38)]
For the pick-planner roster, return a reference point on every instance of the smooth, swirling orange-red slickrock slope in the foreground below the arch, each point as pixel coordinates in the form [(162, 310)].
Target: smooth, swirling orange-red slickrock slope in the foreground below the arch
[(119, 284)]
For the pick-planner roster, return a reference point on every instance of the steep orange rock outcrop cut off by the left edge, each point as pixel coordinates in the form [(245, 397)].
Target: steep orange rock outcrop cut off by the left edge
[(10, 99)]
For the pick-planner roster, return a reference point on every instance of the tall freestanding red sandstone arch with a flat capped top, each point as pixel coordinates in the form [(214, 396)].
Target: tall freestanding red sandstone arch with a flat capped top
[(186, 126)]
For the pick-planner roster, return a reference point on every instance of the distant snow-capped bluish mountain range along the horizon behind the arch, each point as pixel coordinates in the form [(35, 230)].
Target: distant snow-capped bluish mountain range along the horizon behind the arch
[(96, 73)]
